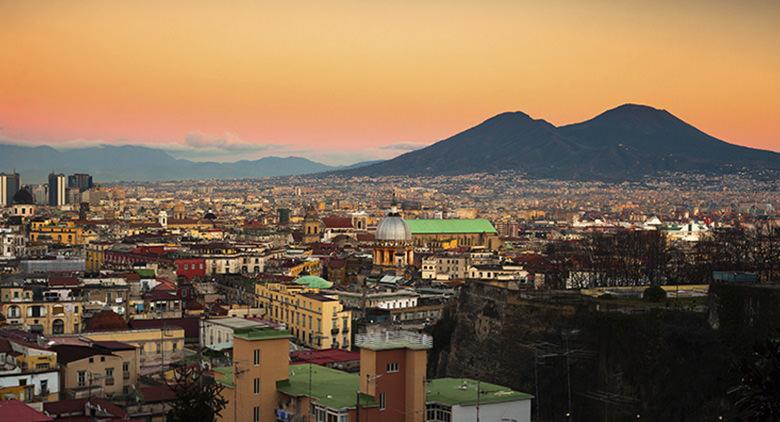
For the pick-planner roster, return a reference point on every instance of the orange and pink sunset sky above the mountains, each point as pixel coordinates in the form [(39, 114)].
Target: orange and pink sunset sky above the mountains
[(346, 81)]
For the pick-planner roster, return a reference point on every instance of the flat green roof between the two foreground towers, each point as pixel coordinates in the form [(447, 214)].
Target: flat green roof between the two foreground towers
[(329, 387)]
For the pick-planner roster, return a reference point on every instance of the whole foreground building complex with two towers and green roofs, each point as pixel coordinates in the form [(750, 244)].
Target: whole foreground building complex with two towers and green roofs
[(262, 386)]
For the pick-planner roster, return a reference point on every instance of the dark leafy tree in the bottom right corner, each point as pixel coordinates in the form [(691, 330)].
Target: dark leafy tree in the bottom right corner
[(757, 397)]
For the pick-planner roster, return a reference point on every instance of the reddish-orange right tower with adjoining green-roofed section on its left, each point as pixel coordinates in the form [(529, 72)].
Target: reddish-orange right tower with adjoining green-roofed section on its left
[(389, 387)]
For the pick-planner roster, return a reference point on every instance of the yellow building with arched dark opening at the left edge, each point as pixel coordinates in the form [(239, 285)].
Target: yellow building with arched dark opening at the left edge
[(50, 316)]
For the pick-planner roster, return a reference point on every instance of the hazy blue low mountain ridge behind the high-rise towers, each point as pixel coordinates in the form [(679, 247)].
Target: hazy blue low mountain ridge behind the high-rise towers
[(114, 163)]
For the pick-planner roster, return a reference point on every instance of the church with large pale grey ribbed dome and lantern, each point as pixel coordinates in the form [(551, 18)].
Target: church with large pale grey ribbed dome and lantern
[(393, 241)]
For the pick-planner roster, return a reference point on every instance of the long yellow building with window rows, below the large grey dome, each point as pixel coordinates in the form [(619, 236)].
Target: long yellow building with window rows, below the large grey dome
[(315, 320)]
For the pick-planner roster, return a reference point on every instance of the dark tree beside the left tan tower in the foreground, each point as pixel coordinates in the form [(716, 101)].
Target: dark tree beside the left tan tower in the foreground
[(198, 396)]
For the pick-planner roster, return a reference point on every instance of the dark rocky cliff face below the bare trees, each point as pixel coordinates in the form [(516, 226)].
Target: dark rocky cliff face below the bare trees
[(649, 357)]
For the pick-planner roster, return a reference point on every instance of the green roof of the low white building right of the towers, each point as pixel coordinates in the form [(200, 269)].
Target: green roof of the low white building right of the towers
[(463, 392)]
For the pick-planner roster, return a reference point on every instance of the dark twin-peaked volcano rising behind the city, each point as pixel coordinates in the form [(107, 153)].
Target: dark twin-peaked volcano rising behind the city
[(627, 142)]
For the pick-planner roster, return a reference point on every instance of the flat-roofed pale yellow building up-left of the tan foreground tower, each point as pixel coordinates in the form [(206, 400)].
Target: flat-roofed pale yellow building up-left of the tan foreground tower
[(156, 347)]
